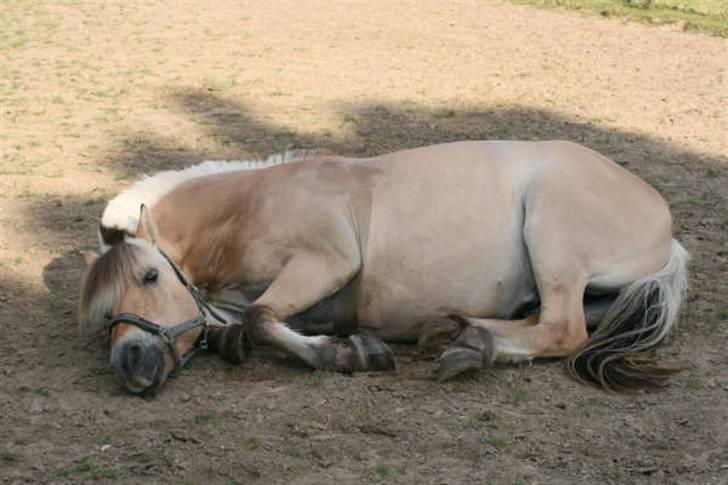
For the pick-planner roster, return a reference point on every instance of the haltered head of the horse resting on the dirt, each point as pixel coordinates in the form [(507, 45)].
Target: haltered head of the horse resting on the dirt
[(154, 316)]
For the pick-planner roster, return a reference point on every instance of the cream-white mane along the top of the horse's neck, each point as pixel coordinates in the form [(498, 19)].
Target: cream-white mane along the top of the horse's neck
[(122, 212)]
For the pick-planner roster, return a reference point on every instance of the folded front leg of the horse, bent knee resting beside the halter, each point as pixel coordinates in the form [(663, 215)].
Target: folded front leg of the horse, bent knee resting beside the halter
[(305, 280)]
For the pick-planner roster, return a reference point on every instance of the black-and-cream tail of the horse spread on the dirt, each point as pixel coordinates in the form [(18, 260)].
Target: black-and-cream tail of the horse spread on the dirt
[(615, 355)]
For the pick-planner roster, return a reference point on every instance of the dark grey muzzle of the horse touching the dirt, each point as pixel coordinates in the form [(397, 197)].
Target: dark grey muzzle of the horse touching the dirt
[(138, 363)]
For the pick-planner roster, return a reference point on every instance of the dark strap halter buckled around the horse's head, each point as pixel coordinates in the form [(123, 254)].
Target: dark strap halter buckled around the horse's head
[(169, 335)]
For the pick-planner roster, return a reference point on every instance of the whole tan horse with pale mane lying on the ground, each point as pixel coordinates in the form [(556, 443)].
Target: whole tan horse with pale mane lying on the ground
[(532, 249)]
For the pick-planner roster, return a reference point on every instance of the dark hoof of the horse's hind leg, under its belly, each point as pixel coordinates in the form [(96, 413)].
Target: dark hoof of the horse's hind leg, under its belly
[(474, 349)]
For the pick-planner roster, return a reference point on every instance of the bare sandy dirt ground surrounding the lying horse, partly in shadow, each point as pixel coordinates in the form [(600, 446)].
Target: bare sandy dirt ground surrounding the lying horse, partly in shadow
[(96, 94)]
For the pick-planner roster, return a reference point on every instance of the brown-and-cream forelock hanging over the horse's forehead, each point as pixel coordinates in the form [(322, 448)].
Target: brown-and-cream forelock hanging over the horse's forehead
[(104, 283)]
